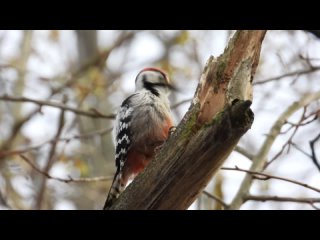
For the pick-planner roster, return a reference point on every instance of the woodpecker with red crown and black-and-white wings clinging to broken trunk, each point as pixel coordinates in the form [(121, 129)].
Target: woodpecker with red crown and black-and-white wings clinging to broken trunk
[(142, 125)]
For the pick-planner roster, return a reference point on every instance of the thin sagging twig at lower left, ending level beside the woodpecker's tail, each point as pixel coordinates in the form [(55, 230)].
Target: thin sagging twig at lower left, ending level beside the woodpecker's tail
[(65, 180)]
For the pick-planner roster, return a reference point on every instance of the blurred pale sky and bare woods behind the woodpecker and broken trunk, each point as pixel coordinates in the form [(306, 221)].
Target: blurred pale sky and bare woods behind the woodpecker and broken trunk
[(60, 89)]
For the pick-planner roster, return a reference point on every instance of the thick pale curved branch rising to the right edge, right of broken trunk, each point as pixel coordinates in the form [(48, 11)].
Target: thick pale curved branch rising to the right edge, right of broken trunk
[(260, 159)]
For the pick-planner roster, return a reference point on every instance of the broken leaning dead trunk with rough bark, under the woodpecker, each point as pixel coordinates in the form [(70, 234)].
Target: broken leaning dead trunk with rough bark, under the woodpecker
[(217, 118)]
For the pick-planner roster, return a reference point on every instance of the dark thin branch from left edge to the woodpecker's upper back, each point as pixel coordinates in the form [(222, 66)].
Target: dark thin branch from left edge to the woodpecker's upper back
[(93, 113)]
